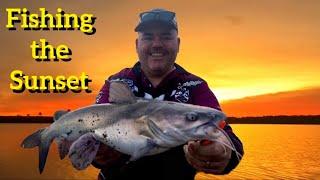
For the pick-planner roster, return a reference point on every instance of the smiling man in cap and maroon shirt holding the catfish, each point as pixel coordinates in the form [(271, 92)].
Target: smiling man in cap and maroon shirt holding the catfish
[(157, 76)]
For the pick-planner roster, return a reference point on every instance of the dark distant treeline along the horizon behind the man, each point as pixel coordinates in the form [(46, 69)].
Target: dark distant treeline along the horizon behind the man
[(312, 119)]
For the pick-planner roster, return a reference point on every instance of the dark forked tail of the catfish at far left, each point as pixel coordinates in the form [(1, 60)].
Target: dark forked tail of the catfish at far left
[(34, 140)]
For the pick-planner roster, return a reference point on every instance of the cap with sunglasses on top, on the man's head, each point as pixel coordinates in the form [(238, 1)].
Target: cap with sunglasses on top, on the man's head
[(158, 16)]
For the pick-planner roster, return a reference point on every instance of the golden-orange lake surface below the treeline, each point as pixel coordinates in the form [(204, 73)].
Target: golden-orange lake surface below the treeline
[(271, 152)]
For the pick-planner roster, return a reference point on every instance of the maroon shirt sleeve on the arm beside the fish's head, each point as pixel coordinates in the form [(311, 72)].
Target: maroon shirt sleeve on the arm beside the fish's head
[(203, 96)]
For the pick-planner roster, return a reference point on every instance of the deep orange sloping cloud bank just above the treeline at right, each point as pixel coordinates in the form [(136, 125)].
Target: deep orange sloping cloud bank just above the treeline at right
[(299, 102)]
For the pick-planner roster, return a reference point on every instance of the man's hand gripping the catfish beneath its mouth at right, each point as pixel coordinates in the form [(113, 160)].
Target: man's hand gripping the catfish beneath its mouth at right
[(207, 156)]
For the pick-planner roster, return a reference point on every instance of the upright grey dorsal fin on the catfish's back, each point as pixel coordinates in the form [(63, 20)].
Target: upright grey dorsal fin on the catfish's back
[(120, 93)]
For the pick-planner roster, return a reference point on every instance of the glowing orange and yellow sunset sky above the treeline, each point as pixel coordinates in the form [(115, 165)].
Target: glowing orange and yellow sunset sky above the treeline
[(258, 57)]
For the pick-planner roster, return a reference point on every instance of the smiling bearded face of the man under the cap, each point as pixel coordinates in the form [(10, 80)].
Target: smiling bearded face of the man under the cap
[(157, 48)]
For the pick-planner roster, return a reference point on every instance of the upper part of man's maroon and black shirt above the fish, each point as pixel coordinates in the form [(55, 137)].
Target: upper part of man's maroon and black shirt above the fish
[(178, 86)]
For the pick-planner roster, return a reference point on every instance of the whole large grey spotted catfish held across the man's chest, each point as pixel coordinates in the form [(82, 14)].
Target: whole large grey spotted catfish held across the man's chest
[(131, 125)]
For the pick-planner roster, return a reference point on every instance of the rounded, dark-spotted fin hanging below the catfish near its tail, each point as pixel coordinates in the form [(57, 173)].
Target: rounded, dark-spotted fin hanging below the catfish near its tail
[(83, 151)]
